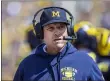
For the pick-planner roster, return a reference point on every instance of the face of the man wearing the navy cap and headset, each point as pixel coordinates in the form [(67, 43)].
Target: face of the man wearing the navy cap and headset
[(54, 31)]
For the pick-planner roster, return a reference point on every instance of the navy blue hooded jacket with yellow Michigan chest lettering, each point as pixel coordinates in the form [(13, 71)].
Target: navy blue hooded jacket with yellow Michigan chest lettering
[(70, 64)]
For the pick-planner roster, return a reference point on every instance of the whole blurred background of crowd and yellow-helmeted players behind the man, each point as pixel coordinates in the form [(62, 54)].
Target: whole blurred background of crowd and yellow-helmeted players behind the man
[(18, 37)]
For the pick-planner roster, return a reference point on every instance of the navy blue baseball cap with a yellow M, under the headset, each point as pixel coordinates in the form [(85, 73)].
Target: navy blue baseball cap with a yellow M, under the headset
[(53, 15)]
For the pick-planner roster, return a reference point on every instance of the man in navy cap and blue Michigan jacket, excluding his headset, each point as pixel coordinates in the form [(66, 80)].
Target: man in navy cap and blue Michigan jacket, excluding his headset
[(57, 59)]
